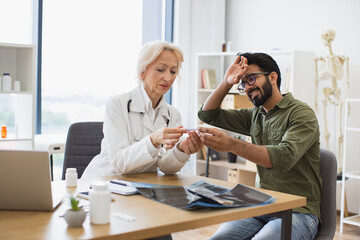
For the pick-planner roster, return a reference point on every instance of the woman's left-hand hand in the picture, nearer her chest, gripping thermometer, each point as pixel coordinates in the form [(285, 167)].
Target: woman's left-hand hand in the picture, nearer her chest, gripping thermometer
[(166, 136)]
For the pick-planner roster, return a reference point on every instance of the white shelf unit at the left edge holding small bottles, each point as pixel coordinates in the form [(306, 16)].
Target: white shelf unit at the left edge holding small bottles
[(20, 61)]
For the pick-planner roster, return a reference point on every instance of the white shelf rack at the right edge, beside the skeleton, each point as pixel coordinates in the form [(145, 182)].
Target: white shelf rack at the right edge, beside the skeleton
[(354, 174)]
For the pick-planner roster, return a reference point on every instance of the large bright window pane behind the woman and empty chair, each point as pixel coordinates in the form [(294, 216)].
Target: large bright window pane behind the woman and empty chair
[(89, 53)]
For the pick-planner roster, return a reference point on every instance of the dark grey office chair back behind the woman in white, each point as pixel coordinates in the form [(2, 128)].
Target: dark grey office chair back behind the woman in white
[(83, 143)]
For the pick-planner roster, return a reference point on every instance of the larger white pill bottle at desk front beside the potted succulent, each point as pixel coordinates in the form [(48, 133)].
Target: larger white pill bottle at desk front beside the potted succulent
[(100, 198)]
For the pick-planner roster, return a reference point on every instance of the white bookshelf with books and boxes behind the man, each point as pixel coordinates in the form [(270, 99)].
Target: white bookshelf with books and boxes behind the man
[(294, 79)]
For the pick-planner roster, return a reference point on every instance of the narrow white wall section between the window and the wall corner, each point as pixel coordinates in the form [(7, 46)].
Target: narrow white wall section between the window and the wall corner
[(199, 26)]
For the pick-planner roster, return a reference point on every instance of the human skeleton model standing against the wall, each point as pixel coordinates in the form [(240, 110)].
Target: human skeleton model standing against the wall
[(331, 68)]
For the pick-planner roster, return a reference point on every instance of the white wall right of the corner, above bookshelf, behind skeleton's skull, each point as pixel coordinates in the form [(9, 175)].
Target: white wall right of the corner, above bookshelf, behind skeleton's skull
[(264, 25)]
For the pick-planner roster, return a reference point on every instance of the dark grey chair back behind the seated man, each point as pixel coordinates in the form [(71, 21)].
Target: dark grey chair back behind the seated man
[(328, 172)]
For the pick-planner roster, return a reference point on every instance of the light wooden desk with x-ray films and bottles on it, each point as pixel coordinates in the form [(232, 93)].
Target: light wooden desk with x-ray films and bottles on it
[(151, 218)]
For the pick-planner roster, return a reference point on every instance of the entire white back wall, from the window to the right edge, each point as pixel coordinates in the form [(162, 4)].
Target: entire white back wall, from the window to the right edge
[(262, 25)]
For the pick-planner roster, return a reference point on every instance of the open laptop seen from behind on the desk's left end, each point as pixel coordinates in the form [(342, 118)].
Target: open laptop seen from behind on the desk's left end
[(25, 182)]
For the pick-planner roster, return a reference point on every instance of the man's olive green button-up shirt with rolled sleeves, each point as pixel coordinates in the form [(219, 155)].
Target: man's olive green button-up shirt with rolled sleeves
[(290, 133)]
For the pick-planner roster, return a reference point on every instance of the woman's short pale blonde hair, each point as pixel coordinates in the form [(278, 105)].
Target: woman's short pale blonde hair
[(151, 50)]
